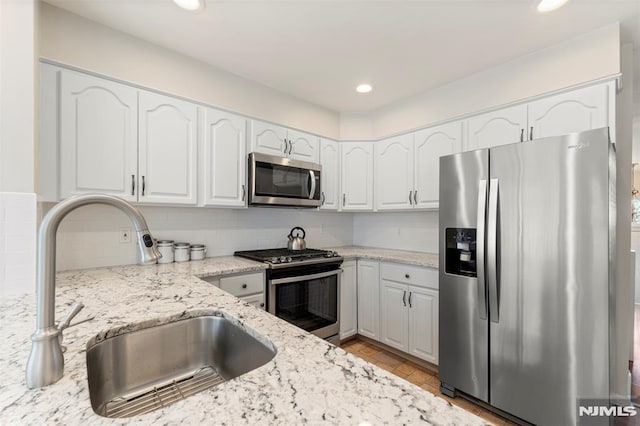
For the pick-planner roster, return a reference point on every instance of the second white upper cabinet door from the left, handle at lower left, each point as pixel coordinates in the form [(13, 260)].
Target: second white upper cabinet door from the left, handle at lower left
[(168, 150)]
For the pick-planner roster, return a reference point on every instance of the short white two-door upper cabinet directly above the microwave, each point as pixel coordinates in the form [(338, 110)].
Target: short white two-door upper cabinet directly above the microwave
[(277, 140)]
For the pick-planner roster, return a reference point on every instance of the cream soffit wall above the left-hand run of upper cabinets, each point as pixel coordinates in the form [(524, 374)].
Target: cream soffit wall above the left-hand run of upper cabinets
[(76, 41)]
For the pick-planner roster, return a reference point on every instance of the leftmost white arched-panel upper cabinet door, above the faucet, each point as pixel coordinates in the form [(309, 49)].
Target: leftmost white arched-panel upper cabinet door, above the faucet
[(98, 136)]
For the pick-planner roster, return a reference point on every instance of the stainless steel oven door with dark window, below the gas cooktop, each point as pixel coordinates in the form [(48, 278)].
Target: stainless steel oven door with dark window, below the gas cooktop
[(311, 302)]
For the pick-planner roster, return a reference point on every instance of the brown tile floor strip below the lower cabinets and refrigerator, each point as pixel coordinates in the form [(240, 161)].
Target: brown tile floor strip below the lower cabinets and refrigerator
[(415, 374)]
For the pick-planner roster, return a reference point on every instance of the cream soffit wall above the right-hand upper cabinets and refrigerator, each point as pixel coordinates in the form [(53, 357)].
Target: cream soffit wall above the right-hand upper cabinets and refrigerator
[(586, 58)]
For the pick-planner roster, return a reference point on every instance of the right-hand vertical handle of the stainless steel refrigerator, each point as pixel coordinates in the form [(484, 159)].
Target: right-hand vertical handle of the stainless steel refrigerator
[(492, 252)]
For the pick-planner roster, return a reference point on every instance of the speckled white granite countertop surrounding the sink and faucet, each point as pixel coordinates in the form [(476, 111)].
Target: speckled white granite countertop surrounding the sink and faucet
[(308, 381)]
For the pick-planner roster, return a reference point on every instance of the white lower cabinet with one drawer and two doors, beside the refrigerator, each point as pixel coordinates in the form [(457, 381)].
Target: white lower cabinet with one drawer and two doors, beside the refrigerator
[(409, 310)]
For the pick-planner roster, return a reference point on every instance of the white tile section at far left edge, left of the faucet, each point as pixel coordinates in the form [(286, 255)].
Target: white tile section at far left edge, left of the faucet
[(17, 243)]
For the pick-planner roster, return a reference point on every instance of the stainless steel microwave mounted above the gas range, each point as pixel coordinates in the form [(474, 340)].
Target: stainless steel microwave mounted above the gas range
[(278, 181)]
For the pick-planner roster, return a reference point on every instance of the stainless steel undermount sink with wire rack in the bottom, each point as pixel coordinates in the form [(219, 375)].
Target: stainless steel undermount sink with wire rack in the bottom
[(140, 371)]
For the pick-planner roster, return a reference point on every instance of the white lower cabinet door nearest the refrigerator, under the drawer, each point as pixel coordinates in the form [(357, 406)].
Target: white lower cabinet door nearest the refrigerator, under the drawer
[(423, 323)]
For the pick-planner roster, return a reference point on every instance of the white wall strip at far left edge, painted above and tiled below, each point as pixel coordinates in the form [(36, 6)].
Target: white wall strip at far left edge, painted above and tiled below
[(18, 68)]
